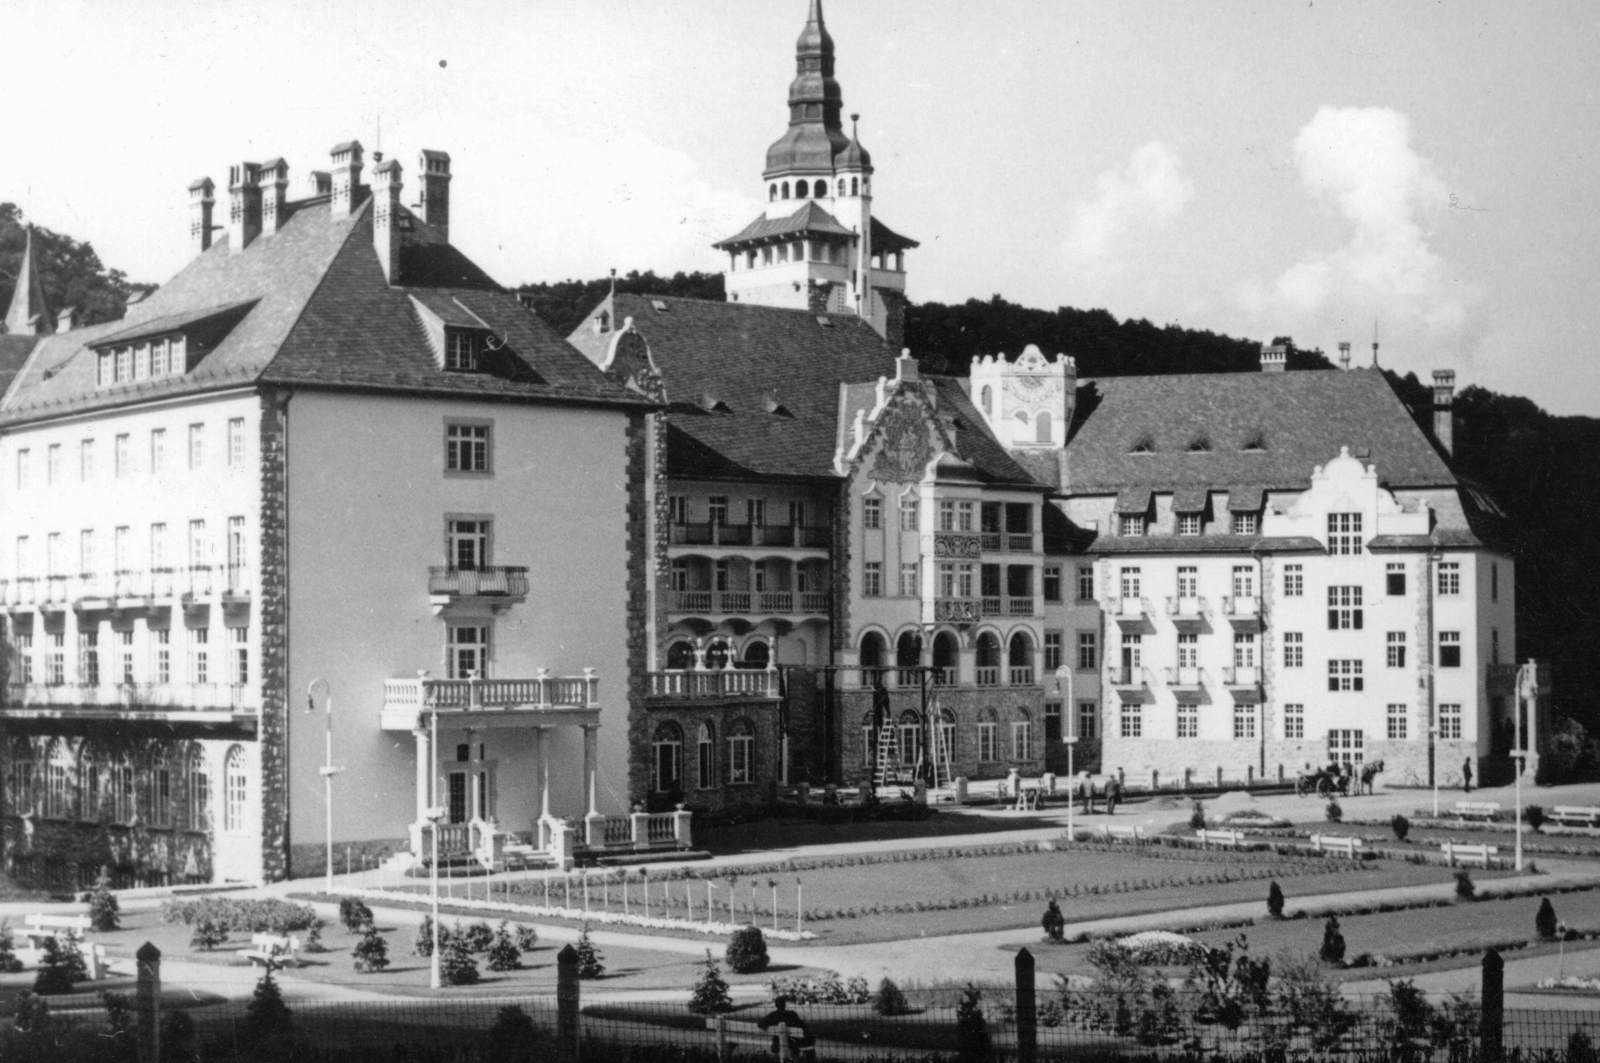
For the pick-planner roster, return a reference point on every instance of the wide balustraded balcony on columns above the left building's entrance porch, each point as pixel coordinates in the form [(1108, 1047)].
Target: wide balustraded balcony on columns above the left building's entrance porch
[(542, 702)]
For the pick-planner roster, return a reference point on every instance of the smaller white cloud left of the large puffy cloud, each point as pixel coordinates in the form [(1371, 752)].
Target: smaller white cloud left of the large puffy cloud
[(1146, 195)]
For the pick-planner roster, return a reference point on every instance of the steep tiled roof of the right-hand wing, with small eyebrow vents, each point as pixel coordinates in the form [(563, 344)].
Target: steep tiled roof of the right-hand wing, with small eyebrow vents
[(1202, 430)]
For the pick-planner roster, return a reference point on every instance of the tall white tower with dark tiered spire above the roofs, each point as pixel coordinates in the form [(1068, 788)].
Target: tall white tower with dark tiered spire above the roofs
[(818, 246)]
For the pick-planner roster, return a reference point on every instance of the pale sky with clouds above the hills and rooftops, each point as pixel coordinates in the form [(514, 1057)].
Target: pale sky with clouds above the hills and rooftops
[(1310, 169)]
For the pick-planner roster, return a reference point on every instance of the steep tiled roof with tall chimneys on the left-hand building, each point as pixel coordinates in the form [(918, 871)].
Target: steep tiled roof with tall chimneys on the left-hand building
[(321, 313)]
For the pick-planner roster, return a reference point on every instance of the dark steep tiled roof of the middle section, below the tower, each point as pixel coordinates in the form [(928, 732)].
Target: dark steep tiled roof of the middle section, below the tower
[(737, 353)]
